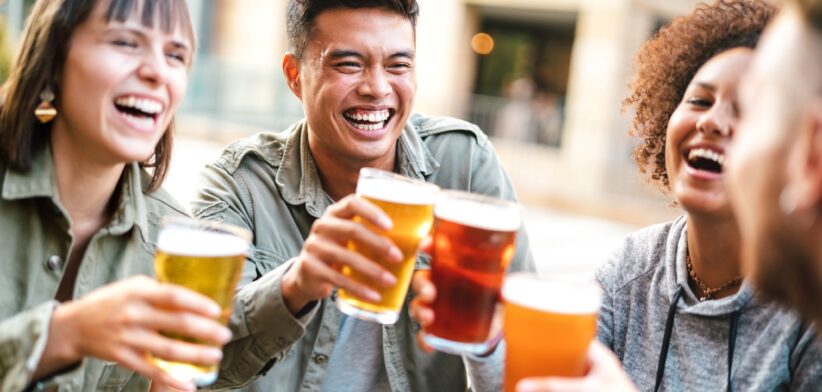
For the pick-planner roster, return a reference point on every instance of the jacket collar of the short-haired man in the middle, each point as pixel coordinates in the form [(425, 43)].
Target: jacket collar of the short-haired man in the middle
[(299, 182)]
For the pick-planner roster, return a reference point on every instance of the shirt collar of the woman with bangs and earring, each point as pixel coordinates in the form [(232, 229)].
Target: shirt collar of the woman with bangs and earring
[(40, 181)]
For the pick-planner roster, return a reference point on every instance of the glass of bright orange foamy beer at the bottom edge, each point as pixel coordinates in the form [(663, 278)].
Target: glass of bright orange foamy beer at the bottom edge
[(549, 324)]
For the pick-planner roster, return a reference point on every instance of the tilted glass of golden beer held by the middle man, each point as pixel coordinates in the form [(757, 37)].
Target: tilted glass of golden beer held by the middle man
[(410, 204)]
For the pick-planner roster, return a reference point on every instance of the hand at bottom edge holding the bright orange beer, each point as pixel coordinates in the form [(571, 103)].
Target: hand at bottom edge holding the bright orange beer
[(604, 374)]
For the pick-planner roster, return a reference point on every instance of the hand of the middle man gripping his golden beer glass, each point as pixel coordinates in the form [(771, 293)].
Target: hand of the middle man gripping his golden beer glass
[(317, 270)]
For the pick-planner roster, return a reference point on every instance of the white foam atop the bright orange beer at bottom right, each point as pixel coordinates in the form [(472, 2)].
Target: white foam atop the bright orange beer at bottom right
[(554, 296)]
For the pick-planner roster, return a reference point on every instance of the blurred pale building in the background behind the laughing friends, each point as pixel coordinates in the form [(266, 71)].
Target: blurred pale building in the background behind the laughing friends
[(544, 78)]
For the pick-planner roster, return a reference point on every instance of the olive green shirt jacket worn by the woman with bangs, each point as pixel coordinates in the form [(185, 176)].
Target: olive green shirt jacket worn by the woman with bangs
[(34, 244)]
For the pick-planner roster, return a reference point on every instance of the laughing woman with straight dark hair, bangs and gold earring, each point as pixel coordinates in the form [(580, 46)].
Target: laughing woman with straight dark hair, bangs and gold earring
[(89, 107)]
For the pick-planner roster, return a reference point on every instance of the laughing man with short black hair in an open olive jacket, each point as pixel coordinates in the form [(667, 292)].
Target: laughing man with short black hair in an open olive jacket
[(352, 65)]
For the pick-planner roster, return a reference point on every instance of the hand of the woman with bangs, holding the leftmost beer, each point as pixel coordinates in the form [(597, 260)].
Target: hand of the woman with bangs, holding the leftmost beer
[(121, 322)]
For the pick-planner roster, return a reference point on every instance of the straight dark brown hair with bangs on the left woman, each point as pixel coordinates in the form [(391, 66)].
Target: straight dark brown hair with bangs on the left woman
[(40, 61)]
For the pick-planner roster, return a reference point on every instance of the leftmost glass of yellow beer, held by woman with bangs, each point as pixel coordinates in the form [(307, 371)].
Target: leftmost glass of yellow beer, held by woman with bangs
[(205, 257)]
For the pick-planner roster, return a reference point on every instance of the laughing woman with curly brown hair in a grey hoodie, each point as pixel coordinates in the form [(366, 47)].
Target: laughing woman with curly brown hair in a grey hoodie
[(677, 312)]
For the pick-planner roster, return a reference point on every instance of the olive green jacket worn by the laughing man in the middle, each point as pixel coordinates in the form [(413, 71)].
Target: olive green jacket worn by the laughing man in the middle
[(269, 184)]
